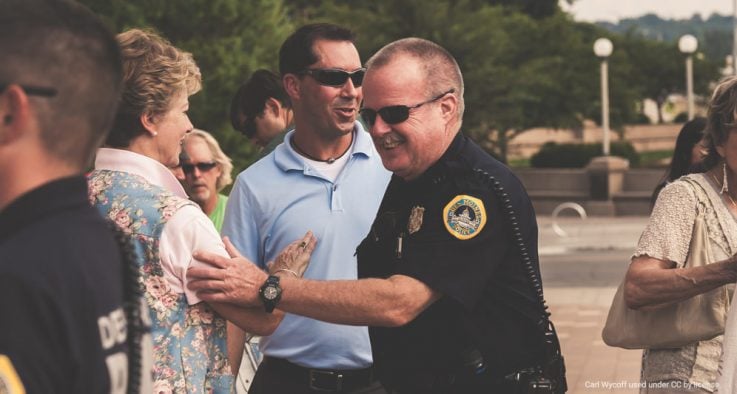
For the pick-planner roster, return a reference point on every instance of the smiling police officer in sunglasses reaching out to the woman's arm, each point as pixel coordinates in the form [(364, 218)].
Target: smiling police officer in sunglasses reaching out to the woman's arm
[(450, 279)]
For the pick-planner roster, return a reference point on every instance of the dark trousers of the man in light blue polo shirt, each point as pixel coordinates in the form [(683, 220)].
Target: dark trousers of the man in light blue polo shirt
[(277, 376)]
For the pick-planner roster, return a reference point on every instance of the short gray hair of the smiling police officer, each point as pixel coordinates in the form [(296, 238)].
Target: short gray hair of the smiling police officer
[(440, 67)]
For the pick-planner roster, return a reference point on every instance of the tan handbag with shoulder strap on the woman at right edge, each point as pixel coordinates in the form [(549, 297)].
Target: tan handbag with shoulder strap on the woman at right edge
[(698, 318)]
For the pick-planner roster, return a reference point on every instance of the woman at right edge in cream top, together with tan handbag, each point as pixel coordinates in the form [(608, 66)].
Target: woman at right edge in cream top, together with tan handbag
[(693, 220)]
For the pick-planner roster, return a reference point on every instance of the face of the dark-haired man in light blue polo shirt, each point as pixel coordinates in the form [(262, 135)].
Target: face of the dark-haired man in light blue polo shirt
[(329, 110)]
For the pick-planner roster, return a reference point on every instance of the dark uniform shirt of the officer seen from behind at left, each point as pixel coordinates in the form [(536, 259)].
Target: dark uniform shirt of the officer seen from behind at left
[(62, 328)]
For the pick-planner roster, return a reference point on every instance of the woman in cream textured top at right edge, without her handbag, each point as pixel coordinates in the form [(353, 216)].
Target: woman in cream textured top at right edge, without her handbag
[(657, 276)]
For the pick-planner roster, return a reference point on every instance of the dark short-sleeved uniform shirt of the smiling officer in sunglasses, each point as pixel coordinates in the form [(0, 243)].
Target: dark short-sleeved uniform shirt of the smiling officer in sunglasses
[(455, 238)]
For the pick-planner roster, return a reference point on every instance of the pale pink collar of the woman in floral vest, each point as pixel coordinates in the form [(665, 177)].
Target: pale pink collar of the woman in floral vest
[(149, 169)]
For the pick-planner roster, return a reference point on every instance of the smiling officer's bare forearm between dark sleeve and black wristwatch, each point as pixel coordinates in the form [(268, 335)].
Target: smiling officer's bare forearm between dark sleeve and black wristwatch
[(390, 302)]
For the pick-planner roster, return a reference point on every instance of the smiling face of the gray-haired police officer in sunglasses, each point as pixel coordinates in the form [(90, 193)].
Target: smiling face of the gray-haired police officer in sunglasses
[(410, 147)]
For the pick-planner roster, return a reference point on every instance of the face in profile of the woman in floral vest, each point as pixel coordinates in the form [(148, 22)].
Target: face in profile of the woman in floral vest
[(171, 127)]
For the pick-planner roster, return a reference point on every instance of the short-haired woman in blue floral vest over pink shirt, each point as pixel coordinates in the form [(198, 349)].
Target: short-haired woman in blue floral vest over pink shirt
[(132, 185)]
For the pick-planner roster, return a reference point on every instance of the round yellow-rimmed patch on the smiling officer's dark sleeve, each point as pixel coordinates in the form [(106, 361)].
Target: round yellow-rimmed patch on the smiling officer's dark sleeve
[(464, 216)]
